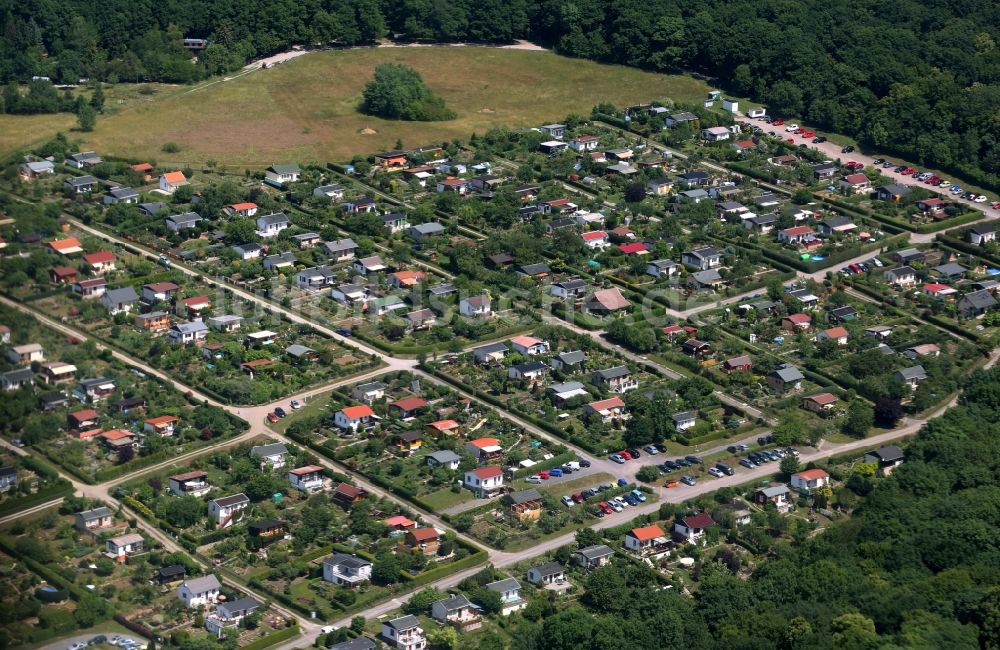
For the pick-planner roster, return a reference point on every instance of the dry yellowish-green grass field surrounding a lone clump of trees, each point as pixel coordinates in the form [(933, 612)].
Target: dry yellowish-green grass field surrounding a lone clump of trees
[(305, 109)]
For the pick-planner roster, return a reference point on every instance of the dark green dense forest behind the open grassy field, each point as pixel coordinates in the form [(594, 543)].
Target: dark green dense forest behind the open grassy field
[(916, 78)]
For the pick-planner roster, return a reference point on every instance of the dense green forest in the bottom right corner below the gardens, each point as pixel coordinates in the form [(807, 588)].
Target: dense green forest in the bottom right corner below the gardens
[(915, 566)]
